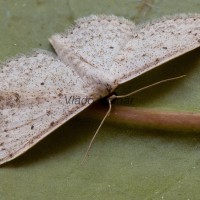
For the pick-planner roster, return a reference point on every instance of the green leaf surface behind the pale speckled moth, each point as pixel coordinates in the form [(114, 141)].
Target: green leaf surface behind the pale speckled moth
[(125, 162)]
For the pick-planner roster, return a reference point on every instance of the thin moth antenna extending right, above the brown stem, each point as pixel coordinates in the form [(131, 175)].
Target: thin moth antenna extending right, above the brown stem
[(148, 86)]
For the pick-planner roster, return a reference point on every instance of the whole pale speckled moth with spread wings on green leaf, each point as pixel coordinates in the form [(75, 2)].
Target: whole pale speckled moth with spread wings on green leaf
[(93, 57)]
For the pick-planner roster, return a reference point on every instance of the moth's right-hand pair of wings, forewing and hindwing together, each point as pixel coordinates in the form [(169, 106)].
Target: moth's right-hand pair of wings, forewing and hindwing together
[(119, 51)]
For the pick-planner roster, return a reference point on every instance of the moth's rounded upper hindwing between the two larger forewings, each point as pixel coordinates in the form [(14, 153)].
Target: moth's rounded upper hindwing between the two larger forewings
[(94, 42)]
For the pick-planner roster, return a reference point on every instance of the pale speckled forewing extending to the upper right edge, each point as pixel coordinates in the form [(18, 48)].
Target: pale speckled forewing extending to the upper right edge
[(156, 43)]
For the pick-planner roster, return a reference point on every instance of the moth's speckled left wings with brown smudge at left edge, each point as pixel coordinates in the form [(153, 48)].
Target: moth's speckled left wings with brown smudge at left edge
[(33, 92)]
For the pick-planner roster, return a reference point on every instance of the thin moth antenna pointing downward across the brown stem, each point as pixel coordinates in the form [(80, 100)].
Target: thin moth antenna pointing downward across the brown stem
[(97, 131)]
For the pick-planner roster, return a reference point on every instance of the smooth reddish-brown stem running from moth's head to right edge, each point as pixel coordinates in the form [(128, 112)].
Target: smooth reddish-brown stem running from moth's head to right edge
[(149, 118)]
